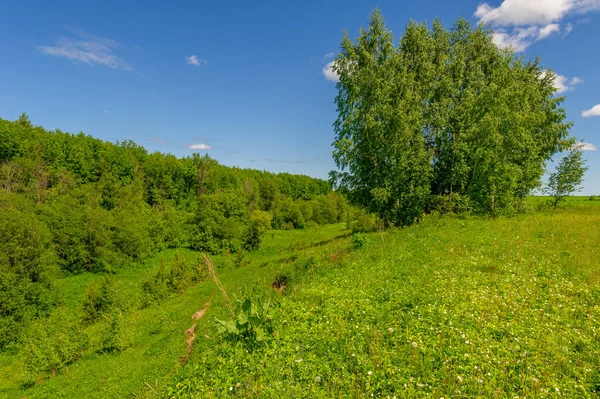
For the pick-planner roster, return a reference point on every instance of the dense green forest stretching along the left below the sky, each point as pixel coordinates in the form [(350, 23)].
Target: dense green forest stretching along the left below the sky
[(71, 203)]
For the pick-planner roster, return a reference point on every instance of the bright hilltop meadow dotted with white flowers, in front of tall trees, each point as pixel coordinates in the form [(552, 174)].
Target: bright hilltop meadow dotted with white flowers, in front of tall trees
[(450, 308)]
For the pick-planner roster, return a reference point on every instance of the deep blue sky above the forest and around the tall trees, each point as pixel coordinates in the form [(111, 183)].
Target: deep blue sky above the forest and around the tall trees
[(247, 78)]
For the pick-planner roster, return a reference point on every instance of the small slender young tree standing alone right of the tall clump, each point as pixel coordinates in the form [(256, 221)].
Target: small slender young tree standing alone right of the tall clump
[(567, 178)]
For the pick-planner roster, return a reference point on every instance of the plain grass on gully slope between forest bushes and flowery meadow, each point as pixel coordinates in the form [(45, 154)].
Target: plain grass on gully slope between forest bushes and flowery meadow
[(159, 339)]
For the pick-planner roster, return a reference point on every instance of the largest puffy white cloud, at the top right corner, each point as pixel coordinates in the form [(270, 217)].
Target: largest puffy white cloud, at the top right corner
[(524, 22)]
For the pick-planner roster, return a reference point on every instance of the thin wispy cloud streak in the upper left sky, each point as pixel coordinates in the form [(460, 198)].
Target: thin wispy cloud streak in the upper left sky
[(88, 49)]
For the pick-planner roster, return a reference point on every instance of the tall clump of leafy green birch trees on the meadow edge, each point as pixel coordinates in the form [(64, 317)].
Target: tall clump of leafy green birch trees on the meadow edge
[(444, 112)]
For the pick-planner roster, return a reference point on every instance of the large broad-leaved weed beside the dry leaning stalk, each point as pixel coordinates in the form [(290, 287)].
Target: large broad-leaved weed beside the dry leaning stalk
[(254, 322)]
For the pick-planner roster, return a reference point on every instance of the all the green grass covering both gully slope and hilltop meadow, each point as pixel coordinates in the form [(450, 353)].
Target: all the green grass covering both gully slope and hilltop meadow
[(453, 307)]
